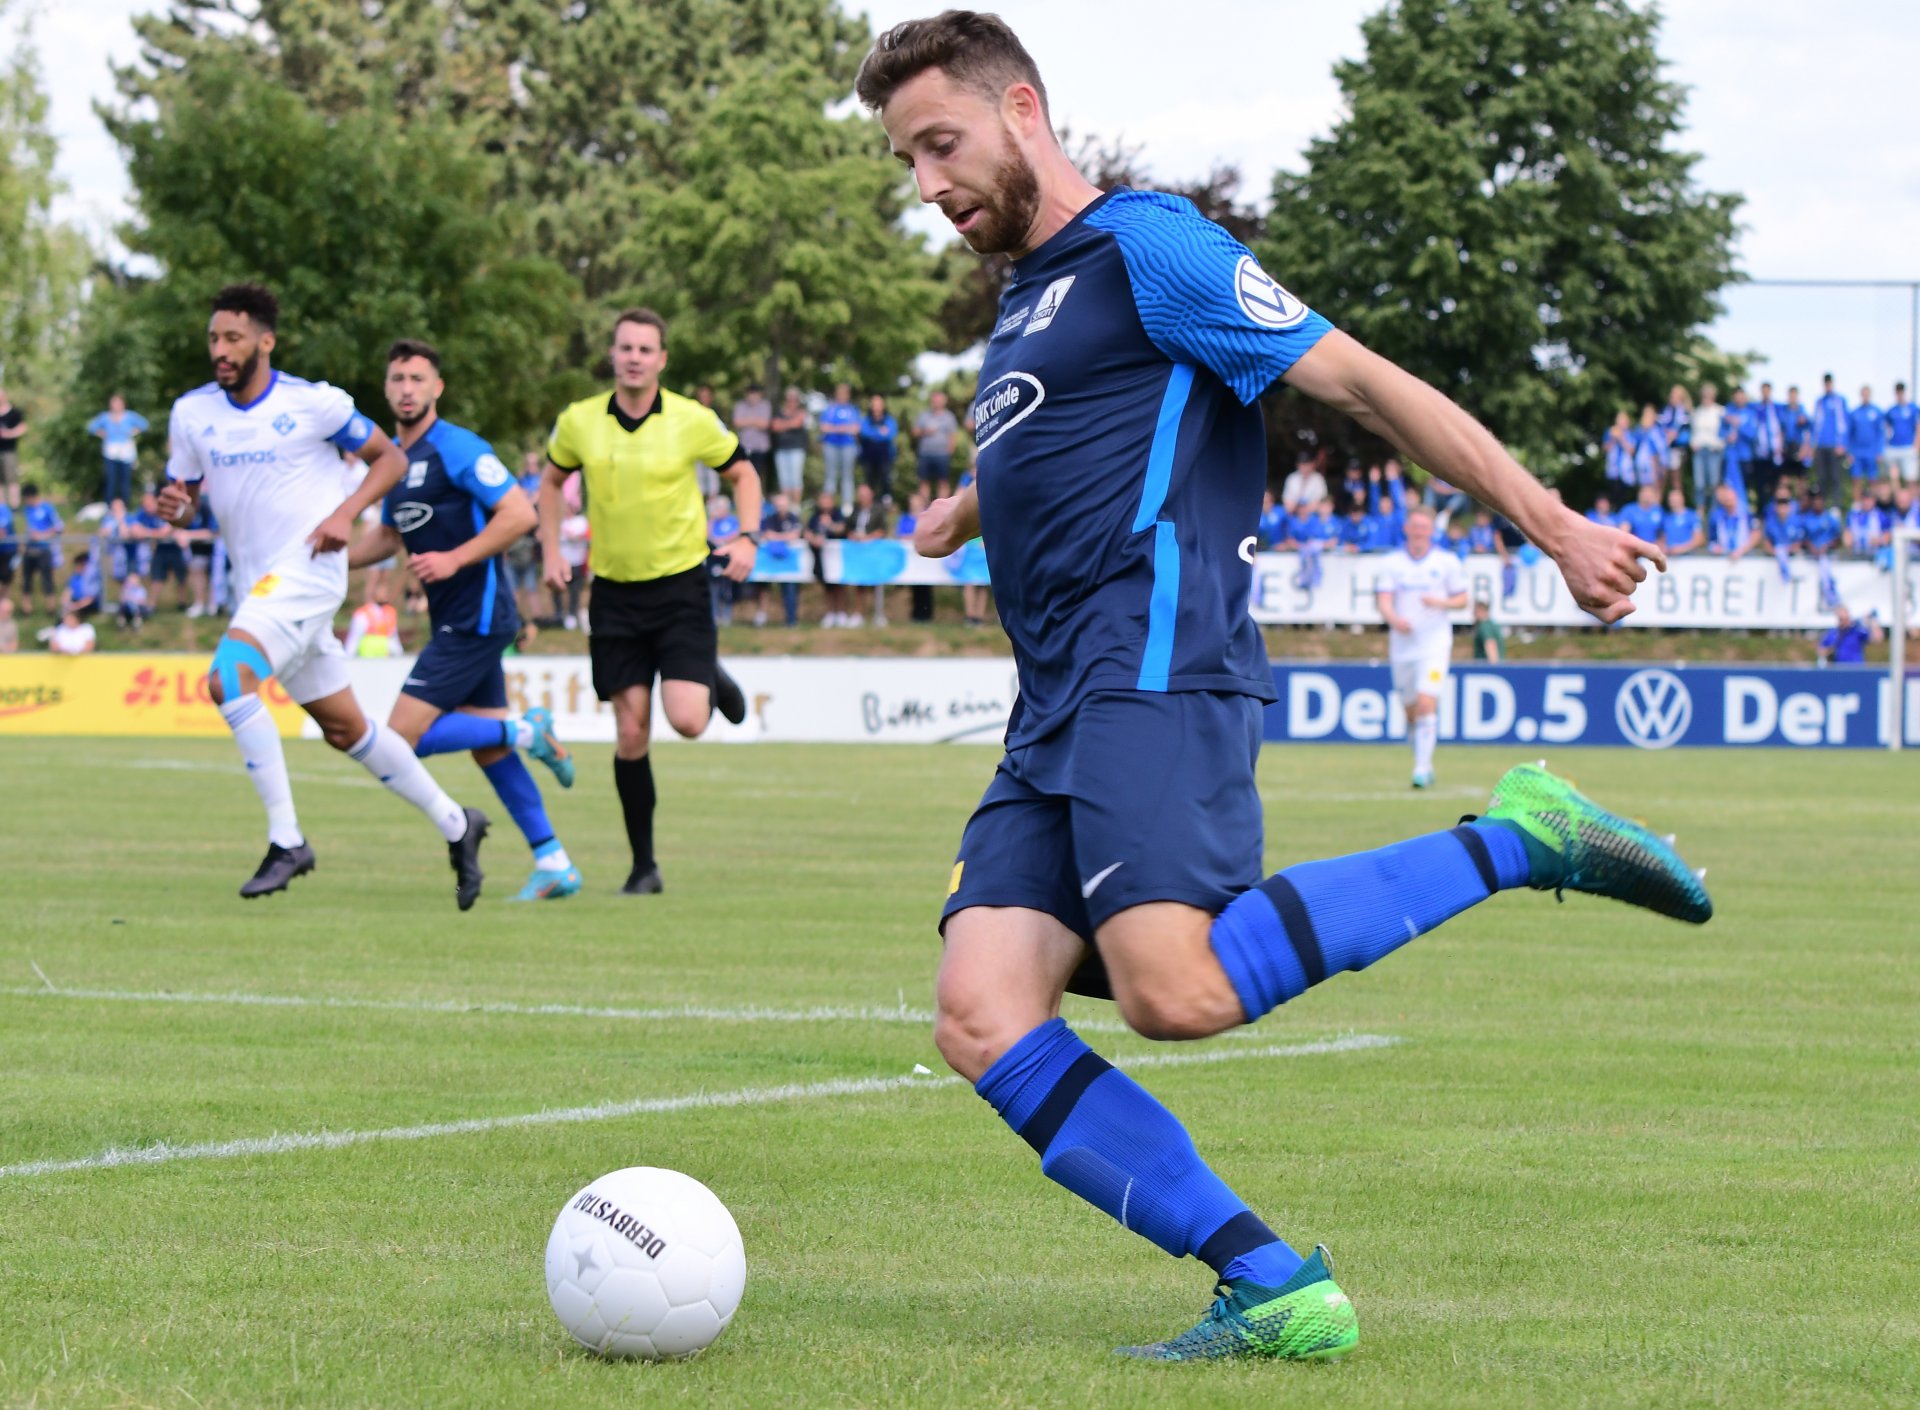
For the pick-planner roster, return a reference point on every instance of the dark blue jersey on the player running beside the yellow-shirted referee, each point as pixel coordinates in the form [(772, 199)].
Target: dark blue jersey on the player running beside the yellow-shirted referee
[(454, 481)]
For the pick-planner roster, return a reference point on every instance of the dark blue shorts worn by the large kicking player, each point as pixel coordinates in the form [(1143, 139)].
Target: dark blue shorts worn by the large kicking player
[(1138, 798)]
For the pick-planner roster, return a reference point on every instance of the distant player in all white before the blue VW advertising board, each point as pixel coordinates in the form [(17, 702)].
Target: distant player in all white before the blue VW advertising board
[(1418, 589)]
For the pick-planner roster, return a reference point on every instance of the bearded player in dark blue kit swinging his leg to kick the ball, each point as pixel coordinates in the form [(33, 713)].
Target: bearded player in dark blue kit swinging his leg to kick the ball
[(1118, 848)]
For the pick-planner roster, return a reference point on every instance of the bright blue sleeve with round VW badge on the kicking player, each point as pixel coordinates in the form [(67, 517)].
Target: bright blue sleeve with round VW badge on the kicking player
[(1203, 297)]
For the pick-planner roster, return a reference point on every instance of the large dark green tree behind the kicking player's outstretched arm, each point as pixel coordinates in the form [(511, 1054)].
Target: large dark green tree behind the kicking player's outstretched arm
[(1508, 214)]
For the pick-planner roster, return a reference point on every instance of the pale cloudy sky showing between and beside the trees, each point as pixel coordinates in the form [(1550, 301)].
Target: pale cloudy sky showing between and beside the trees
[(1812, 120)]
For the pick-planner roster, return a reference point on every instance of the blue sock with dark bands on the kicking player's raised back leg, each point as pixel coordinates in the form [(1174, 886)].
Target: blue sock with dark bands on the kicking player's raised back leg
[(1318, 919)]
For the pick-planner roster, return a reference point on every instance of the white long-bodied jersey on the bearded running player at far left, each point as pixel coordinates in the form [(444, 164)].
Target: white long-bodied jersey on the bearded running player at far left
[(272, 470)]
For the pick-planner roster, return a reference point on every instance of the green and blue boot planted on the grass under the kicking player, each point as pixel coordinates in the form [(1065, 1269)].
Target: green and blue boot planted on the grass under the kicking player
[(1307, 1319)]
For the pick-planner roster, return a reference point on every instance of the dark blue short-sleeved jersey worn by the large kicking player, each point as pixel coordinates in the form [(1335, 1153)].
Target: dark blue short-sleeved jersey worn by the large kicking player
[(1122, 456)]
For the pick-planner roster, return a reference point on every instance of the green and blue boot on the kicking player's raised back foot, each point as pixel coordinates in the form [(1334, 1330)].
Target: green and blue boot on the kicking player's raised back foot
[(1577, 846)]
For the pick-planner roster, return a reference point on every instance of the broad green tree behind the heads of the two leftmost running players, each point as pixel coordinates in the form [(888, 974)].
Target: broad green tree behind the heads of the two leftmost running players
[(366, 228)]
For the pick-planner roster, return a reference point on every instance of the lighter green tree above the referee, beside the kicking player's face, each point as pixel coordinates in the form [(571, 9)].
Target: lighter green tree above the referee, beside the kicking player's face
[(780, 253)]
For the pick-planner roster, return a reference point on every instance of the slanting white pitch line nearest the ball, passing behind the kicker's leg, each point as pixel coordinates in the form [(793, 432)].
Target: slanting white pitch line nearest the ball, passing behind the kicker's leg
[(164, 1154)]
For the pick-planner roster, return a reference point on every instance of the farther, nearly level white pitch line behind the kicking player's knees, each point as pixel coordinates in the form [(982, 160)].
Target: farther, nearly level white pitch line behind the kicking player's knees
[(667, 1013)]
